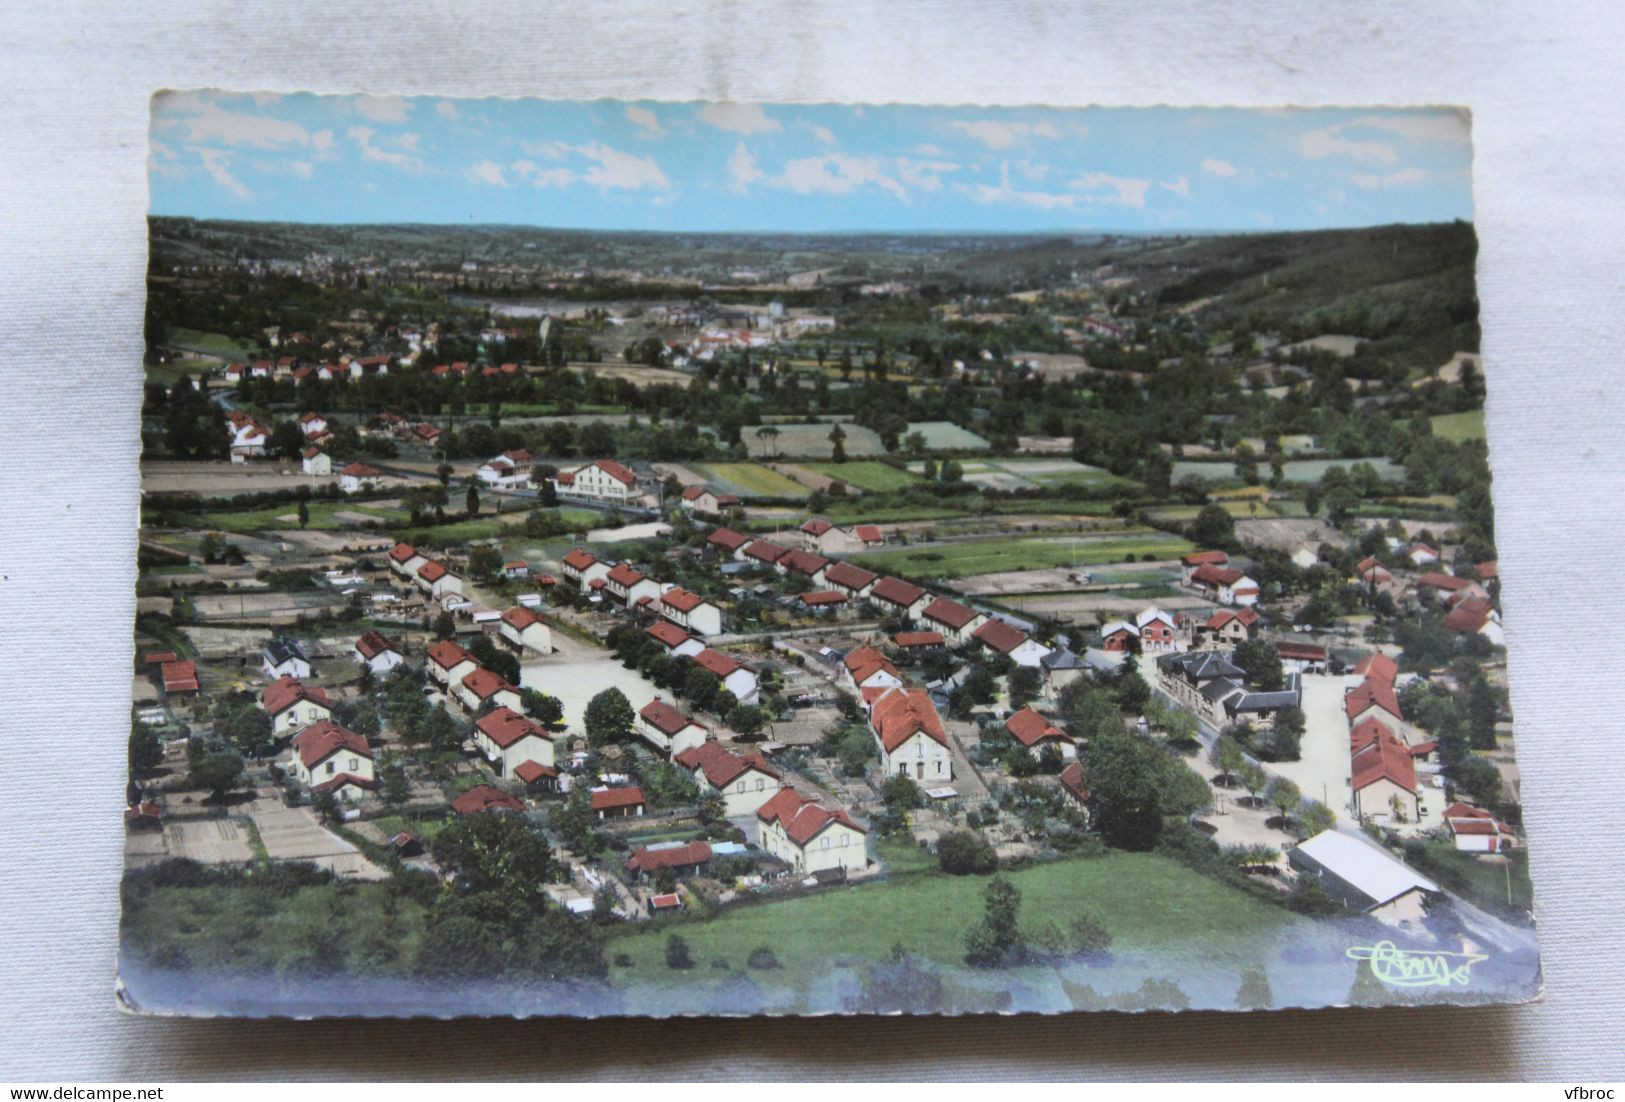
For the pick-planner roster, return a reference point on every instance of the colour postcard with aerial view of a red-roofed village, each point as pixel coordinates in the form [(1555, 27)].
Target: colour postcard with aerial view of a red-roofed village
[(703, 558)]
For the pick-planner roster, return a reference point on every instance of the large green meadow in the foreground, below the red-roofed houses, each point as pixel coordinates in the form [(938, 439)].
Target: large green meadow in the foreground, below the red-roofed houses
[(1148, 903)]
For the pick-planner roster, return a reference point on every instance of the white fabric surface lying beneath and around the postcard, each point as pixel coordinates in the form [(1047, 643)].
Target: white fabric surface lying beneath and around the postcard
[(1545, 84)]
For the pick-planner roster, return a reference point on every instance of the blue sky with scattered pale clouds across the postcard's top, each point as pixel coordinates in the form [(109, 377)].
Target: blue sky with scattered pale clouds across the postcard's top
[(802, 168)]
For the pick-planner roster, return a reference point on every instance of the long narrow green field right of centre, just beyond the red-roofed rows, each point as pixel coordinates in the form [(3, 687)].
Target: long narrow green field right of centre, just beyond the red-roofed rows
[(1000, 555)]
